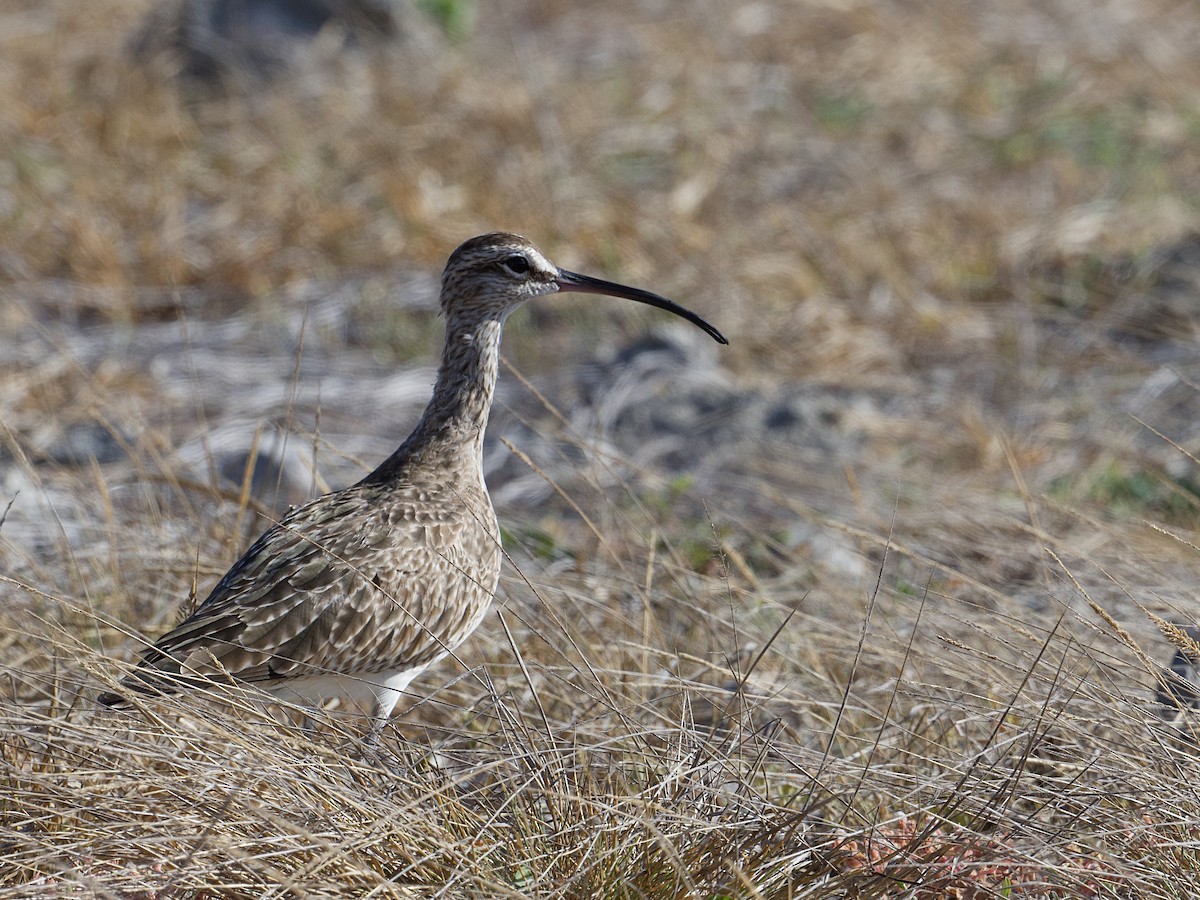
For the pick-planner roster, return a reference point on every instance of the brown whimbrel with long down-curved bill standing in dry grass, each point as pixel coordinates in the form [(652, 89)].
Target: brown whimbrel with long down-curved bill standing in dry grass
[(353, 595)]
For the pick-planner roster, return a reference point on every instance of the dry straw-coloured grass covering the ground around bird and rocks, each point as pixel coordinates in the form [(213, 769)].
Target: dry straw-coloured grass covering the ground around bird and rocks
[(920, 667)]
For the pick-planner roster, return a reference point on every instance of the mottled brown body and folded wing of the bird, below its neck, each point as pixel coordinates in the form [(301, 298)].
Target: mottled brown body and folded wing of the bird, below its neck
[(356, 583)]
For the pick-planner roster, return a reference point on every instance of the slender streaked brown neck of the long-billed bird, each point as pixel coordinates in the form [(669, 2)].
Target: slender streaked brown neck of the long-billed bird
[(451, 434)]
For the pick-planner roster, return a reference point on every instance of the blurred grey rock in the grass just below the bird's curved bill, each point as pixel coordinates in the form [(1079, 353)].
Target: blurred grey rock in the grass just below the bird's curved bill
[(664, 404)]
